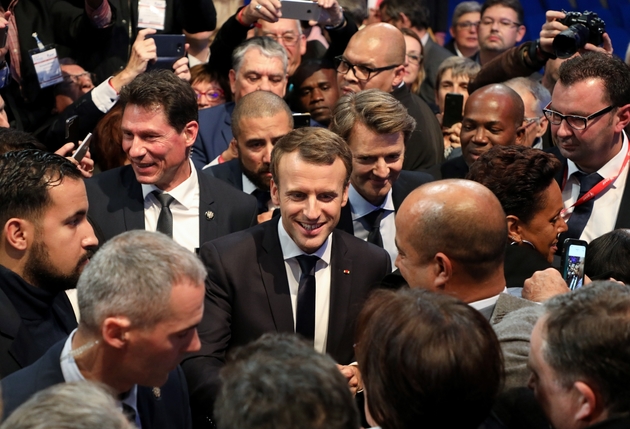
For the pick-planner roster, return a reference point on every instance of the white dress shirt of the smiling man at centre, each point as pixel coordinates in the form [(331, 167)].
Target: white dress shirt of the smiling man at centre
[(322, 282)]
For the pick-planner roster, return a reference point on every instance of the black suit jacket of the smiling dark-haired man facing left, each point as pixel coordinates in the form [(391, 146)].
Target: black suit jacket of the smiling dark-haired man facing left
[(116, 205)]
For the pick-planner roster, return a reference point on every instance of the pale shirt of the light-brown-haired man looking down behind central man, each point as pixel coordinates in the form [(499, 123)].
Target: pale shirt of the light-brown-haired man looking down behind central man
[(361, 207)]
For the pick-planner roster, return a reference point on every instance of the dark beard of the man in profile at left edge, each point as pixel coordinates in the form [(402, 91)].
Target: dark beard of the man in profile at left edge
[(40, 272)]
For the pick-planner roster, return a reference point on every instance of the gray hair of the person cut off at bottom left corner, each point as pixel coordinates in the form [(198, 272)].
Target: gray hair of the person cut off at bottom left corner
[(77, 405)]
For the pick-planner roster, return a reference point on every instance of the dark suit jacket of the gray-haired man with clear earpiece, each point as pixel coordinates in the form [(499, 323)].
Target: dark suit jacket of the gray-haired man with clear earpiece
[(169, 410)]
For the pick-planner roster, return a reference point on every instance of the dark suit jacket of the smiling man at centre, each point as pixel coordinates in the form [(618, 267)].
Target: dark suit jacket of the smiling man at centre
[(247, 295)]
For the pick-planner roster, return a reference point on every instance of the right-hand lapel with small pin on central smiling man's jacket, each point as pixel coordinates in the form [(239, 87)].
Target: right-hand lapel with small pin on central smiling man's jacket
[(340, 291)]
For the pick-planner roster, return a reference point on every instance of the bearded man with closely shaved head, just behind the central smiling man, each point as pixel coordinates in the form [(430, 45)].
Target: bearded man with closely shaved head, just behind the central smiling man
[(259, 120)]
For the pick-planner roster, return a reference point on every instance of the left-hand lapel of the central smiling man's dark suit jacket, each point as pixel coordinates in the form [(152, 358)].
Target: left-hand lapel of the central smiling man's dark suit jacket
[(274, 278)]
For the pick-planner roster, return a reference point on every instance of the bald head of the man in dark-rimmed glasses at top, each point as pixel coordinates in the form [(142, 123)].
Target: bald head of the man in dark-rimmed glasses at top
[(375, 46)]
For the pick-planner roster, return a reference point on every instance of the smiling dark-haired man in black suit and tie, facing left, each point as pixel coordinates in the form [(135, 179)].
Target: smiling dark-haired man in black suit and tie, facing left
[(161, 190)]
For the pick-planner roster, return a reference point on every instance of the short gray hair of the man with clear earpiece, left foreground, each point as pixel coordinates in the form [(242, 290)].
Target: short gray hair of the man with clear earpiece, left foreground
[(132, 275)]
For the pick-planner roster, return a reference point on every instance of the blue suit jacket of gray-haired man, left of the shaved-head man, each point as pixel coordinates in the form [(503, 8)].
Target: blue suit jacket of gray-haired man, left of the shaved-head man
[(215, 133)]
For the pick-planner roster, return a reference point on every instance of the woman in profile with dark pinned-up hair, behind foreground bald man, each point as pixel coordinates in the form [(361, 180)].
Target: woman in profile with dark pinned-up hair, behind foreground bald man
[(523, 179)]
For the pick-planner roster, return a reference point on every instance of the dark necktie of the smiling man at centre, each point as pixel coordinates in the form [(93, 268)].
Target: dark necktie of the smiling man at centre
[(305, 323)]
